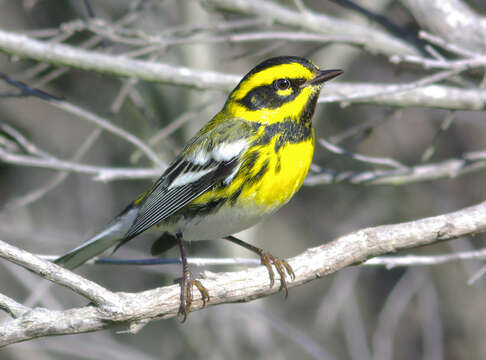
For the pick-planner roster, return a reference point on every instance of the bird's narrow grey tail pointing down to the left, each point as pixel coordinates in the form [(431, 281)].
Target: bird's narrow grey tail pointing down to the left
[(114, 233)]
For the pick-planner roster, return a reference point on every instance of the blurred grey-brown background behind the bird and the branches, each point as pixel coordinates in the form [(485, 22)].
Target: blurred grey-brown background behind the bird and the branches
[(361, 312)]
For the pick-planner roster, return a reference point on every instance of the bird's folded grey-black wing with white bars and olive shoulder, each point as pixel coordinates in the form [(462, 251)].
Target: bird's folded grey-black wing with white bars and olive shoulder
[(212, 155)]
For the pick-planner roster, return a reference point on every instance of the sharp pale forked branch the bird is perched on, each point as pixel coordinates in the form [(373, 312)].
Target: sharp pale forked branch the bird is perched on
[(229, 287)]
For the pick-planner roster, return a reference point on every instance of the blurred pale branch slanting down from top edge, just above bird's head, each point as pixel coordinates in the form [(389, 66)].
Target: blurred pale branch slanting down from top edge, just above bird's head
[(375, 40)]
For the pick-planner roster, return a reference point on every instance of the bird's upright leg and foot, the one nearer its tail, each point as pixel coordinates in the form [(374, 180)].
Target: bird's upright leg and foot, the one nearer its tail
[(187, 283)]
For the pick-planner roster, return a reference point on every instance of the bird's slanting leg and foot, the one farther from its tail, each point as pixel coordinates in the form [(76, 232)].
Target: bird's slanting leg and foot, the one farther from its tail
[(268, 260)]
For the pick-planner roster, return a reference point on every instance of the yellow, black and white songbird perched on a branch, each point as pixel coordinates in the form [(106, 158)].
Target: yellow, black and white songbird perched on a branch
[(241, 167)]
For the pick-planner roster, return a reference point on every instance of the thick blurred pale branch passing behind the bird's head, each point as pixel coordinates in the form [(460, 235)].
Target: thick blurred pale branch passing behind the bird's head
[(437, 96)]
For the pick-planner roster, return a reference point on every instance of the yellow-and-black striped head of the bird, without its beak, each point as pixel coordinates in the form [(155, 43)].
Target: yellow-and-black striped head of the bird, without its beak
[(274, 92)]
